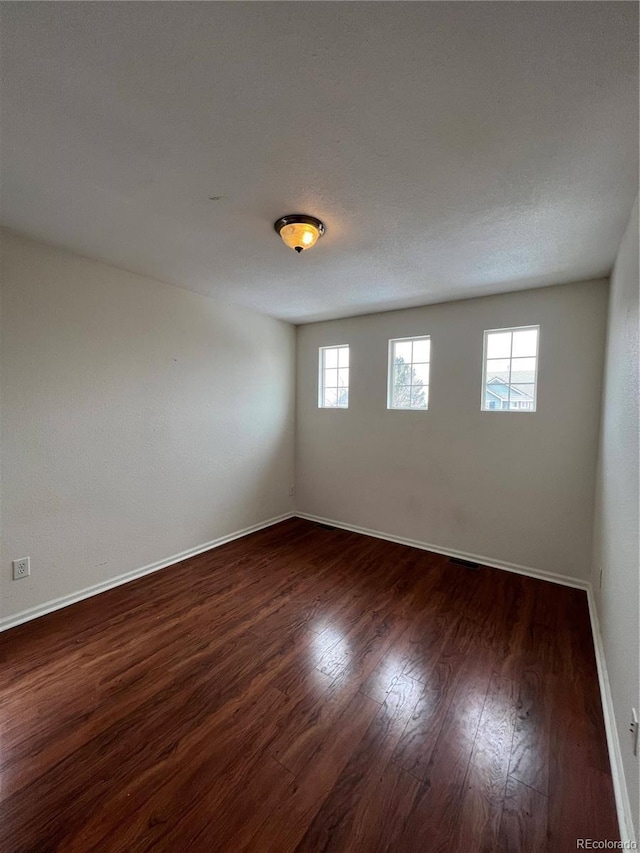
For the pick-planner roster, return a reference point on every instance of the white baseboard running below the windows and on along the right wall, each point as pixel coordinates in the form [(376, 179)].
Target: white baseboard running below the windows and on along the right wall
[(623, 805)]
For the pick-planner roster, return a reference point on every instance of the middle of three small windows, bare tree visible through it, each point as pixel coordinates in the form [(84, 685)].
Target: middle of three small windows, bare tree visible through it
[(408, 385)]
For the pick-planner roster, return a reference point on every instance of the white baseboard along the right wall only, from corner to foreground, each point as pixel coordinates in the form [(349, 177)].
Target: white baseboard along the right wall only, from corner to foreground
[(623, 804)]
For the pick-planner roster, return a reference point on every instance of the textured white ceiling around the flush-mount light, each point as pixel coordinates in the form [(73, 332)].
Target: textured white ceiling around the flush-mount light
[(452, 149)]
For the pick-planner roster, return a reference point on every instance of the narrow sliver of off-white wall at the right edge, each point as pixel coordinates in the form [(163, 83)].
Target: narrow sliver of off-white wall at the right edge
[(616, 540)]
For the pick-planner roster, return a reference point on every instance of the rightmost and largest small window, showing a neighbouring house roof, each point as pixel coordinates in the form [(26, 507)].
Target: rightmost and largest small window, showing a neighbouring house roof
[(510, 369)]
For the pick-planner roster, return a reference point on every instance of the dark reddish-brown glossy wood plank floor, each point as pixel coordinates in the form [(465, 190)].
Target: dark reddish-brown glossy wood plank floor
[(312, 690)]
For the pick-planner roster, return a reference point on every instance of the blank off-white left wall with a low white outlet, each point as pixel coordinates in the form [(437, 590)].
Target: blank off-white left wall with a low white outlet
[(138, 420)]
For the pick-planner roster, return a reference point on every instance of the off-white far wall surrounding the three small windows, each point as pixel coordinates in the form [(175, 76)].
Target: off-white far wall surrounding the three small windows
[(511, 487)]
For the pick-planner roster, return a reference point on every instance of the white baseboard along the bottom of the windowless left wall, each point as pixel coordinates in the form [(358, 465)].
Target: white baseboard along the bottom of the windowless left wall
[(66, 600)]
